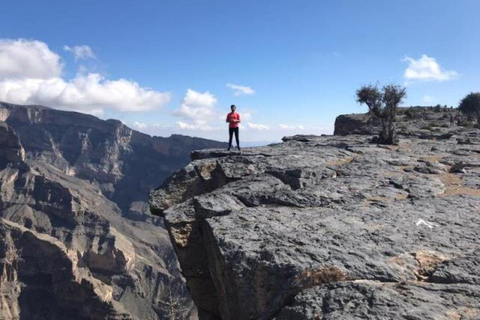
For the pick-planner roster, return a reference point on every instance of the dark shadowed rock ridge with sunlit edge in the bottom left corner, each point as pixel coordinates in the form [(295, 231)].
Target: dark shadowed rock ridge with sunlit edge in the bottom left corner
[(41, 279)]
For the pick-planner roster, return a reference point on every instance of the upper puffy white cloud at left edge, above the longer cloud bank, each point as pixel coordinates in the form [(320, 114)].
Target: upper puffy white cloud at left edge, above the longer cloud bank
[(20, 59)]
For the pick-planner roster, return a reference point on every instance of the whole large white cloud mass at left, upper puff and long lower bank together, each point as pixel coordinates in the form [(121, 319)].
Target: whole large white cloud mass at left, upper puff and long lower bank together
[(30, 73)]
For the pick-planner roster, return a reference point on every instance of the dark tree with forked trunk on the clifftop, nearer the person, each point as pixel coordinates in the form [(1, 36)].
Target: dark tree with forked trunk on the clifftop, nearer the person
[(383, 104)]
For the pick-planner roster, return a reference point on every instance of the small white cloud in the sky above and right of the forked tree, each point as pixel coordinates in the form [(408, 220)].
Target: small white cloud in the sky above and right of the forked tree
[(426, 68)]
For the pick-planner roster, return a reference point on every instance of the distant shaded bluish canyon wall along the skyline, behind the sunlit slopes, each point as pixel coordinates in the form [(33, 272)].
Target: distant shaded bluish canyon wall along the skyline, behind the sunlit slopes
[(124, 163)]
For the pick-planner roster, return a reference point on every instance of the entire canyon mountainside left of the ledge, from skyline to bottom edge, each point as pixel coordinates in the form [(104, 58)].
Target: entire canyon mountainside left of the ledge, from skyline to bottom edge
[(76, 241)]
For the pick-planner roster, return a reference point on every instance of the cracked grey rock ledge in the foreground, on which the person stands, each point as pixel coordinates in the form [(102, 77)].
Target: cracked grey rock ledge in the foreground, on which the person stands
[(330, 228)]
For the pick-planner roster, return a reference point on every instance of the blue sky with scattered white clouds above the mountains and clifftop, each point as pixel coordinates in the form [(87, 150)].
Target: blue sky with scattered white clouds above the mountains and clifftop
[(299, 62)]
